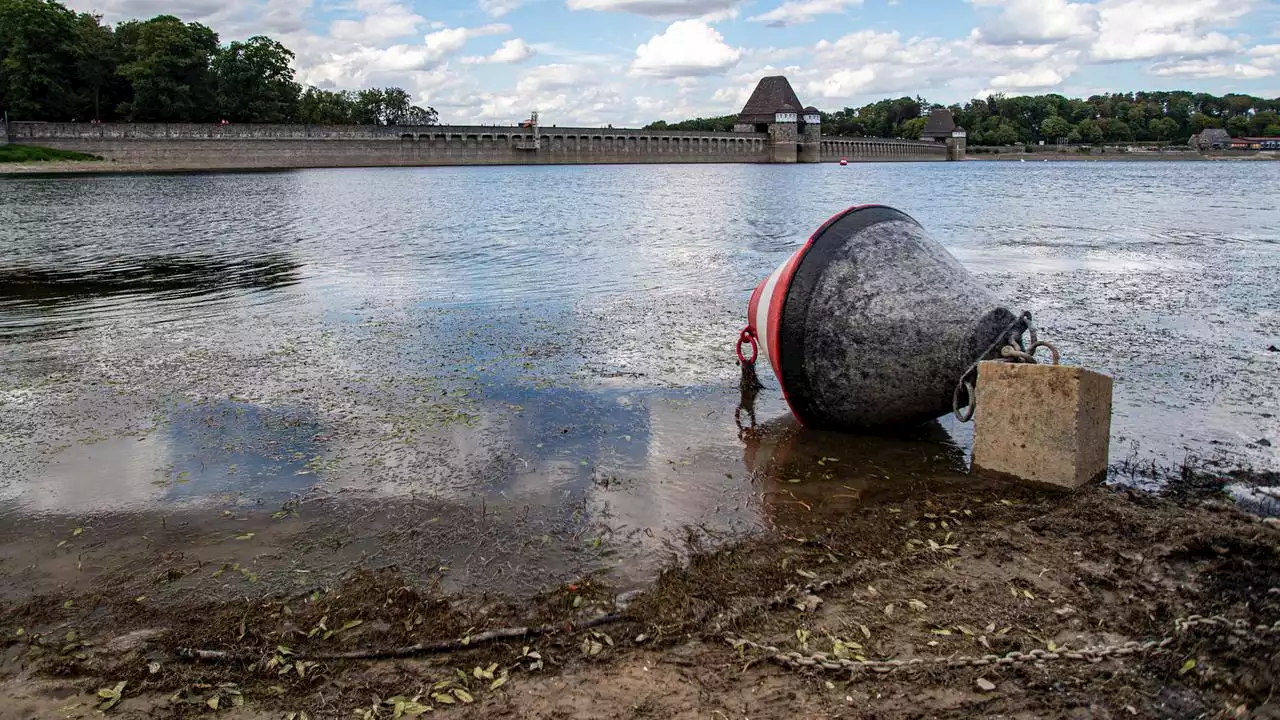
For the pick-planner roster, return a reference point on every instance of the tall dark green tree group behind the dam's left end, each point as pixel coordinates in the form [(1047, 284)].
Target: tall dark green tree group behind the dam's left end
[(57, 65)]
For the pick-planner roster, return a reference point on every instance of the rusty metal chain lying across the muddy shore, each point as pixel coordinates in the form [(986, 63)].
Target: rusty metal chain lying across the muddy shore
[(1095, 654)]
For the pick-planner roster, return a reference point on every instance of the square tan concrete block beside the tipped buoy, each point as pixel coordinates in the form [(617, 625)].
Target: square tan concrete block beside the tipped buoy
[(1043, 423)]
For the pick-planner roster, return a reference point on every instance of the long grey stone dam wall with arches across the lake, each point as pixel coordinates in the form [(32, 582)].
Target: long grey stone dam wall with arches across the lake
[(248, 147)]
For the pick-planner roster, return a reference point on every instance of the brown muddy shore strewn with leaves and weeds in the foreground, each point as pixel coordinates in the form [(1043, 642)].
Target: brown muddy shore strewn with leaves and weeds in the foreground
[(1014, 601)]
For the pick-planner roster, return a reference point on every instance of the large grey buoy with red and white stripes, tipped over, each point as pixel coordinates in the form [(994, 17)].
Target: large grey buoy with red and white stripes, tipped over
[(872, 323)]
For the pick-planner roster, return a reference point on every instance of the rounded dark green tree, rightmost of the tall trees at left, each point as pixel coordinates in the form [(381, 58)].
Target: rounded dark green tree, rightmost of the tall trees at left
[(255, 83)]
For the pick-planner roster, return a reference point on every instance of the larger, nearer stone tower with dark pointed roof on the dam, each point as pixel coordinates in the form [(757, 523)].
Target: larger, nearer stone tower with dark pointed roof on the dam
[(796, 133)]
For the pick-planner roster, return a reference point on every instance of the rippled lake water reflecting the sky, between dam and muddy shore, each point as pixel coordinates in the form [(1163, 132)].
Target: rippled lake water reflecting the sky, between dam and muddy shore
[(537, 363)]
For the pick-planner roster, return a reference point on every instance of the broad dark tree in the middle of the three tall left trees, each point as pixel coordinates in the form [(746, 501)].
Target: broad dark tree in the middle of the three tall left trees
[(168, 66)]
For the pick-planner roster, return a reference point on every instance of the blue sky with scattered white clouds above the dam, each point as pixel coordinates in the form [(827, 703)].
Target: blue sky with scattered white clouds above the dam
[(630, 62)]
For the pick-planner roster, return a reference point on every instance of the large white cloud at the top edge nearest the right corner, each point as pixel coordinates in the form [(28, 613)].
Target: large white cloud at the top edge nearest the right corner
[(1150, 30)]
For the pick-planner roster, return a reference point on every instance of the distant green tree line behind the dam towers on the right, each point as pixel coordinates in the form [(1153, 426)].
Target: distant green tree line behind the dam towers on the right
[(998, 120)]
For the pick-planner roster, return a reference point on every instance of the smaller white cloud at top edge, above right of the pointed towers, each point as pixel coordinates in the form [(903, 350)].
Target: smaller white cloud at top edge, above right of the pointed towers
[(1037, 21)]
